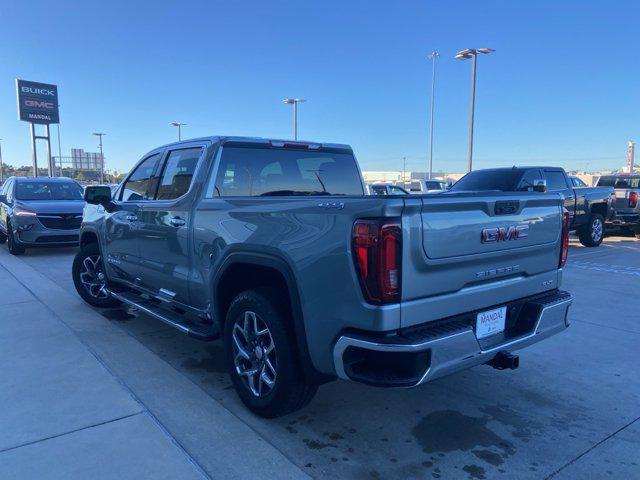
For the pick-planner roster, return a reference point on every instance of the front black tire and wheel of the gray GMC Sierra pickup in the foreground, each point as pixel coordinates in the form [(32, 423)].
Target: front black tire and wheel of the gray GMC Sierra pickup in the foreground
[(83, 275)]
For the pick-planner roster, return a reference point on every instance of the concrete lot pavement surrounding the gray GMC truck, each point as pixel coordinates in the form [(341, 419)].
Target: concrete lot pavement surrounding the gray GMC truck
[(572, 409)]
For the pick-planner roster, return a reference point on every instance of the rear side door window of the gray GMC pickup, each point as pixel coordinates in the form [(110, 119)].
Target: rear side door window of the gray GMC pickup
[(178, 173)]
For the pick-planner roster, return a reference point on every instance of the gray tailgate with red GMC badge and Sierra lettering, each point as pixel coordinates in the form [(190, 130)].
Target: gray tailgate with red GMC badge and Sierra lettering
[(466, 252)]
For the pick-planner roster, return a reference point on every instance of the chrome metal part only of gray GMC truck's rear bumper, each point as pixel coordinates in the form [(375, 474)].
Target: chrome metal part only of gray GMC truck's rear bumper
[(453, 351)]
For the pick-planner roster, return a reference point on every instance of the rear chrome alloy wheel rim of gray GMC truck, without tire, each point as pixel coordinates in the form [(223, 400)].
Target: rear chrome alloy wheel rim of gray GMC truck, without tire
[(254, 354)]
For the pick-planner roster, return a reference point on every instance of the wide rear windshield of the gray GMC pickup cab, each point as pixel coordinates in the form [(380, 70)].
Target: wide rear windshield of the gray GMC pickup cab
[(251, 171)]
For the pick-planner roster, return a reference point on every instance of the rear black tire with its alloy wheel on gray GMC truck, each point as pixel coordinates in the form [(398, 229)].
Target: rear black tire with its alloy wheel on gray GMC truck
[(289, 391)]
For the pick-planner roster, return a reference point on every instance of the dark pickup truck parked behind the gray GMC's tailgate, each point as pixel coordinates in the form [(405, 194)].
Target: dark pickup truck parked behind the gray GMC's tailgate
[(589, 207)]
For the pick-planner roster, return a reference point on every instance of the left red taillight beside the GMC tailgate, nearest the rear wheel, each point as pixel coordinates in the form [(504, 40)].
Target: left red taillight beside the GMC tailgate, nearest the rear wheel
[(377, 253)]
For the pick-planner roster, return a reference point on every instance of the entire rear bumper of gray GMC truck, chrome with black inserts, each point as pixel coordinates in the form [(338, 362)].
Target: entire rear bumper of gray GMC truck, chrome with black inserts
[(411, 358)]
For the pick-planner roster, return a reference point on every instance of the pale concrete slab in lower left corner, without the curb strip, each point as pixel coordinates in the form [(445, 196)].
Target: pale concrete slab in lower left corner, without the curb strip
[(63, 414)]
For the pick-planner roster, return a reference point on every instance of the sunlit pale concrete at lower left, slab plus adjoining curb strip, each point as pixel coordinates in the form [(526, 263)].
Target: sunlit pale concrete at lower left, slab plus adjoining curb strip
[(81, 399)]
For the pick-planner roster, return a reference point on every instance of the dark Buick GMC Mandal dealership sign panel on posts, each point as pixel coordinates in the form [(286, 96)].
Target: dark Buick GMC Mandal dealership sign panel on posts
[(37, 102)]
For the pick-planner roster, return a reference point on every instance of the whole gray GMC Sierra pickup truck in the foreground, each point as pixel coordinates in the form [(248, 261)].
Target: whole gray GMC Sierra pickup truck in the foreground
[(275, 246)]
